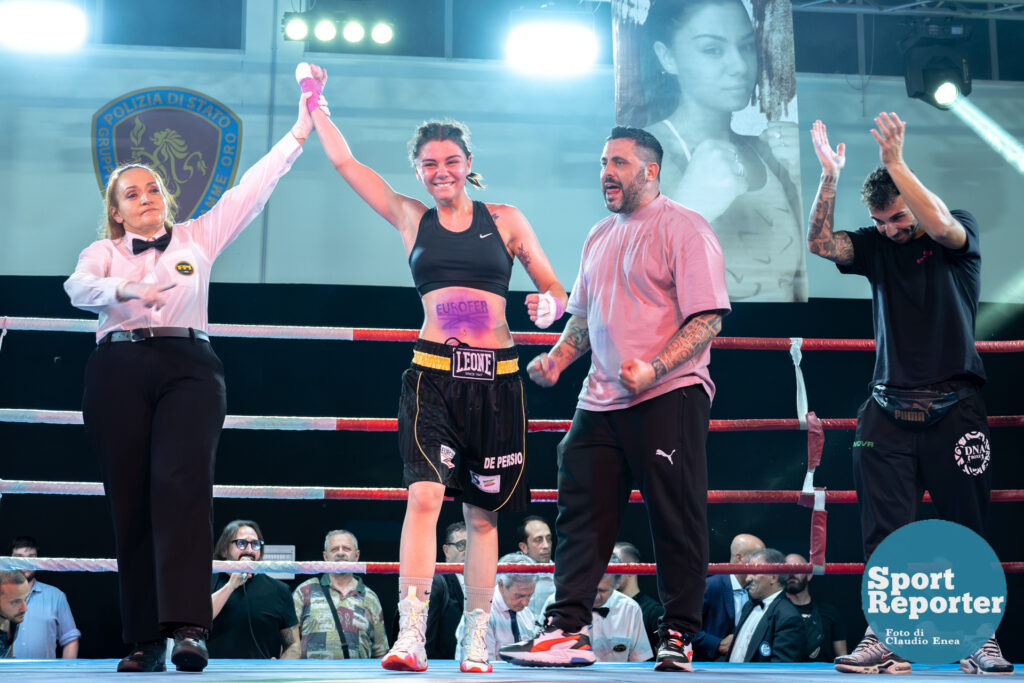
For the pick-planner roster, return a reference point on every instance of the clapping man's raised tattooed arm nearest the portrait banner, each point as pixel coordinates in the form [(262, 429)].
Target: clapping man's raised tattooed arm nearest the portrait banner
[(836, 247)]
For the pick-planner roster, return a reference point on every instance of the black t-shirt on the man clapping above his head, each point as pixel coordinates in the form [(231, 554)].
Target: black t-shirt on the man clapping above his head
[(925, 302)]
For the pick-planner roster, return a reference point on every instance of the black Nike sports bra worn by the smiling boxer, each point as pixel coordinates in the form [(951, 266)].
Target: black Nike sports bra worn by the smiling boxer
[(477, 258)]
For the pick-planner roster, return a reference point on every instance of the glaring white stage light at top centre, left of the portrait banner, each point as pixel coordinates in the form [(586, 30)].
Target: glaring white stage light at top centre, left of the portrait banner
[(552, 45)]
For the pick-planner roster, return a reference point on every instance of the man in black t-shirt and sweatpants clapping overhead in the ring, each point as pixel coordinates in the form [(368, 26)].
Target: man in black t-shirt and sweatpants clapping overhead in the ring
[(925, 425)]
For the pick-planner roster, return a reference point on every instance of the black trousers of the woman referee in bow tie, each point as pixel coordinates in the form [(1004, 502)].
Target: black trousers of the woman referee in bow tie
[(154, 411)]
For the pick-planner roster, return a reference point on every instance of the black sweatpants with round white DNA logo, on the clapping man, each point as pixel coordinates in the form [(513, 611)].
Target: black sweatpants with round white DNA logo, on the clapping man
[(894, 465)]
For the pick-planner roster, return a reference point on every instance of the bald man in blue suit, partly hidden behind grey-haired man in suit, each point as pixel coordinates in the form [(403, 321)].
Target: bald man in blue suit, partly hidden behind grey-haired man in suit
[(724, 600)]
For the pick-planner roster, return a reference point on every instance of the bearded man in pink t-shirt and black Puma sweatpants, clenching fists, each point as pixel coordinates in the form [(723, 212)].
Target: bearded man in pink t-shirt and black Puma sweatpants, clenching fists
[(648, 302)]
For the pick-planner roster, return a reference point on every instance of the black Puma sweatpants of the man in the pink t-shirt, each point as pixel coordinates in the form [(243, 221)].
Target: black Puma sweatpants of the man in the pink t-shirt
[(660, 444)]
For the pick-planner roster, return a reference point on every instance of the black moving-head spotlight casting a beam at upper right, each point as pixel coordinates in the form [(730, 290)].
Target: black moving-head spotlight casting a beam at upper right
[(937, 70)]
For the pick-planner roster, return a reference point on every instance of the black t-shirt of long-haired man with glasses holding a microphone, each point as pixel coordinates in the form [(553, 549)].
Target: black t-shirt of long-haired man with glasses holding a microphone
[(249, 627)]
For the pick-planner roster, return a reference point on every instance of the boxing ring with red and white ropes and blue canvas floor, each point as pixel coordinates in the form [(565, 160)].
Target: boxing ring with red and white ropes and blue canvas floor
[(817, 498)]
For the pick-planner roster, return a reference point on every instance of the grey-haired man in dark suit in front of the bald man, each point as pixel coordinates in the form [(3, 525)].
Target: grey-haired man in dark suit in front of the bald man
[(772, 629)]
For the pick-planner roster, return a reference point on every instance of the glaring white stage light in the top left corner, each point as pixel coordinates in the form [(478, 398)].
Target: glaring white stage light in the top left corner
[(42, 27)]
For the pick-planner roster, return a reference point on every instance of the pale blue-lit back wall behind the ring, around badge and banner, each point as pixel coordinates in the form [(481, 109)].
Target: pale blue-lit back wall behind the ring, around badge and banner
[(536, 143)]
